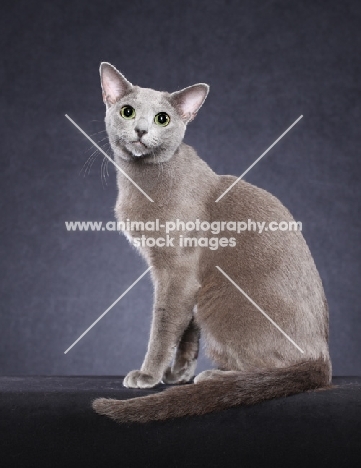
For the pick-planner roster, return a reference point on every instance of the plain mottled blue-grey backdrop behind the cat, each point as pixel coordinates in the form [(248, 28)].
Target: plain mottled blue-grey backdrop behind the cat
[(267, 62)]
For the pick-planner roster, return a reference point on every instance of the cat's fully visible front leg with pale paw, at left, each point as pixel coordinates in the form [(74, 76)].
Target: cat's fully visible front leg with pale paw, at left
[(175, 297)]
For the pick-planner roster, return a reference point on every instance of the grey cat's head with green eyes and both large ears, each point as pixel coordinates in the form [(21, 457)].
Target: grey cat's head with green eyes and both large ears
[(144, 124)]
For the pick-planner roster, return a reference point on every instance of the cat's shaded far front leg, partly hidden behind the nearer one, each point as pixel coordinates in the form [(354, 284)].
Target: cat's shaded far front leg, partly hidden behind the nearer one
[(185, 361)]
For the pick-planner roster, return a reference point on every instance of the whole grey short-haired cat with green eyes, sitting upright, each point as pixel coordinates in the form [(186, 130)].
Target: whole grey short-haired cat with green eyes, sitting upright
[(254, 360)]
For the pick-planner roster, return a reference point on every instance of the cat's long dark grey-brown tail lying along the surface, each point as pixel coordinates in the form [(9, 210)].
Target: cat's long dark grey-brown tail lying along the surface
[(218, 393)]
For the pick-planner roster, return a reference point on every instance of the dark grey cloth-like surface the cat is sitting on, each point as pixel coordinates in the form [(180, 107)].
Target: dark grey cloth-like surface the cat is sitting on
[(48, 421)]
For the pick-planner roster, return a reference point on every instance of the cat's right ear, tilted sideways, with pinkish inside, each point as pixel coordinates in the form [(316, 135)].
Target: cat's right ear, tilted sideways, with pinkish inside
[(189, 100)]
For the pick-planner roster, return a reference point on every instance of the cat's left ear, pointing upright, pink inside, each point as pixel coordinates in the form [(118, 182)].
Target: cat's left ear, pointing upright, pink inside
[(114, 84)]
